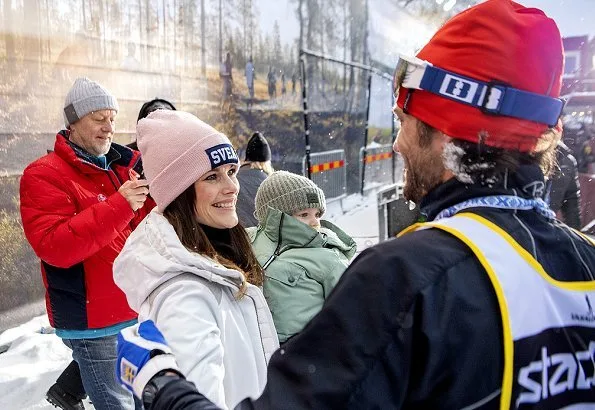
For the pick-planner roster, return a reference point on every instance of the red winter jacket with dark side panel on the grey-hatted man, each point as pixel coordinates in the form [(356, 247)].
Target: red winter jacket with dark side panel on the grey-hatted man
[(77, 222)]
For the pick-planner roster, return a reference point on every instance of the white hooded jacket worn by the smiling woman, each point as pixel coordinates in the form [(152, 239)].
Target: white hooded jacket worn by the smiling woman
[(222, 344)]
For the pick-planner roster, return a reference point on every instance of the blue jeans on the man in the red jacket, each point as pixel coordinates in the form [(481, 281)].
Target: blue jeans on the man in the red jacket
[(97, 361)]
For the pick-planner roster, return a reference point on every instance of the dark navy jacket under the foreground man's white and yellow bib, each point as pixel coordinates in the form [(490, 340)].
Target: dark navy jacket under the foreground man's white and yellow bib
[(414, 322)]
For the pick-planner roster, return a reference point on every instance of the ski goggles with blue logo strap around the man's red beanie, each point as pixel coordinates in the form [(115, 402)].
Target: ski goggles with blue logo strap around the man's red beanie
[(489, 97)]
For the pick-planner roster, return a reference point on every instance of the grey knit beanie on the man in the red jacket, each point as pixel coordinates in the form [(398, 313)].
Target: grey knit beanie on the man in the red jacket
[(84, 97)]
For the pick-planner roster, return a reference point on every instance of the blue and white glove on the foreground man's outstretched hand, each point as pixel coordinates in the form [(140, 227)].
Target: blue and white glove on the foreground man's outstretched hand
[(142, 353)]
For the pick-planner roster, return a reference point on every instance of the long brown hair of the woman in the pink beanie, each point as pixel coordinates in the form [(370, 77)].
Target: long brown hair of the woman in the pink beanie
[(181, 214)]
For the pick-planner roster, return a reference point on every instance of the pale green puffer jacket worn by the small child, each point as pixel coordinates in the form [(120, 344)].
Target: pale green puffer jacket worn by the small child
[(301, 267)]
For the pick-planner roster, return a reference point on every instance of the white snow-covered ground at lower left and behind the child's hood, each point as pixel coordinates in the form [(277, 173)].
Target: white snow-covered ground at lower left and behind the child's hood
[(36, 357)]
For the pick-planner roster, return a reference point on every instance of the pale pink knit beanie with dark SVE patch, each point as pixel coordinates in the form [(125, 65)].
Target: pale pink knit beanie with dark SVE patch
[(177, 149)]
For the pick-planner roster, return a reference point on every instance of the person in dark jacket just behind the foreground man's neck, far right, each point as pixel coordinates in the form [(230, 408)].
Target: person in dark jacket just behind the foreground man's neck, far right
[(563, 188)]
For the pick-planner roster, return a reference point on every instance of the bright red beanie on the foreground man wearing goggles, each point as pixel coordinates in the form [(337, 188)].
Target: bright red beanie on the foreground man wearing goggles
[(499, 41)]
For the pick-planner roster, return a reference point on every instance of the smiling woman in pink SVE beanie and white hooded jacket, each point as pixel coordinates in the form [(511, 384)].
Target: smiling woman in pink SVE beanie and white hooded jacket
[(189, 266)]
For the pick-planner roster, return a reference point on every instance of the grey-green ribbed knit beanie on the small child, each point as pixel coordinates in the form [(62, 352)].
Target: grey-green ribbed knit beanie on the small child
[(288, 193)]
